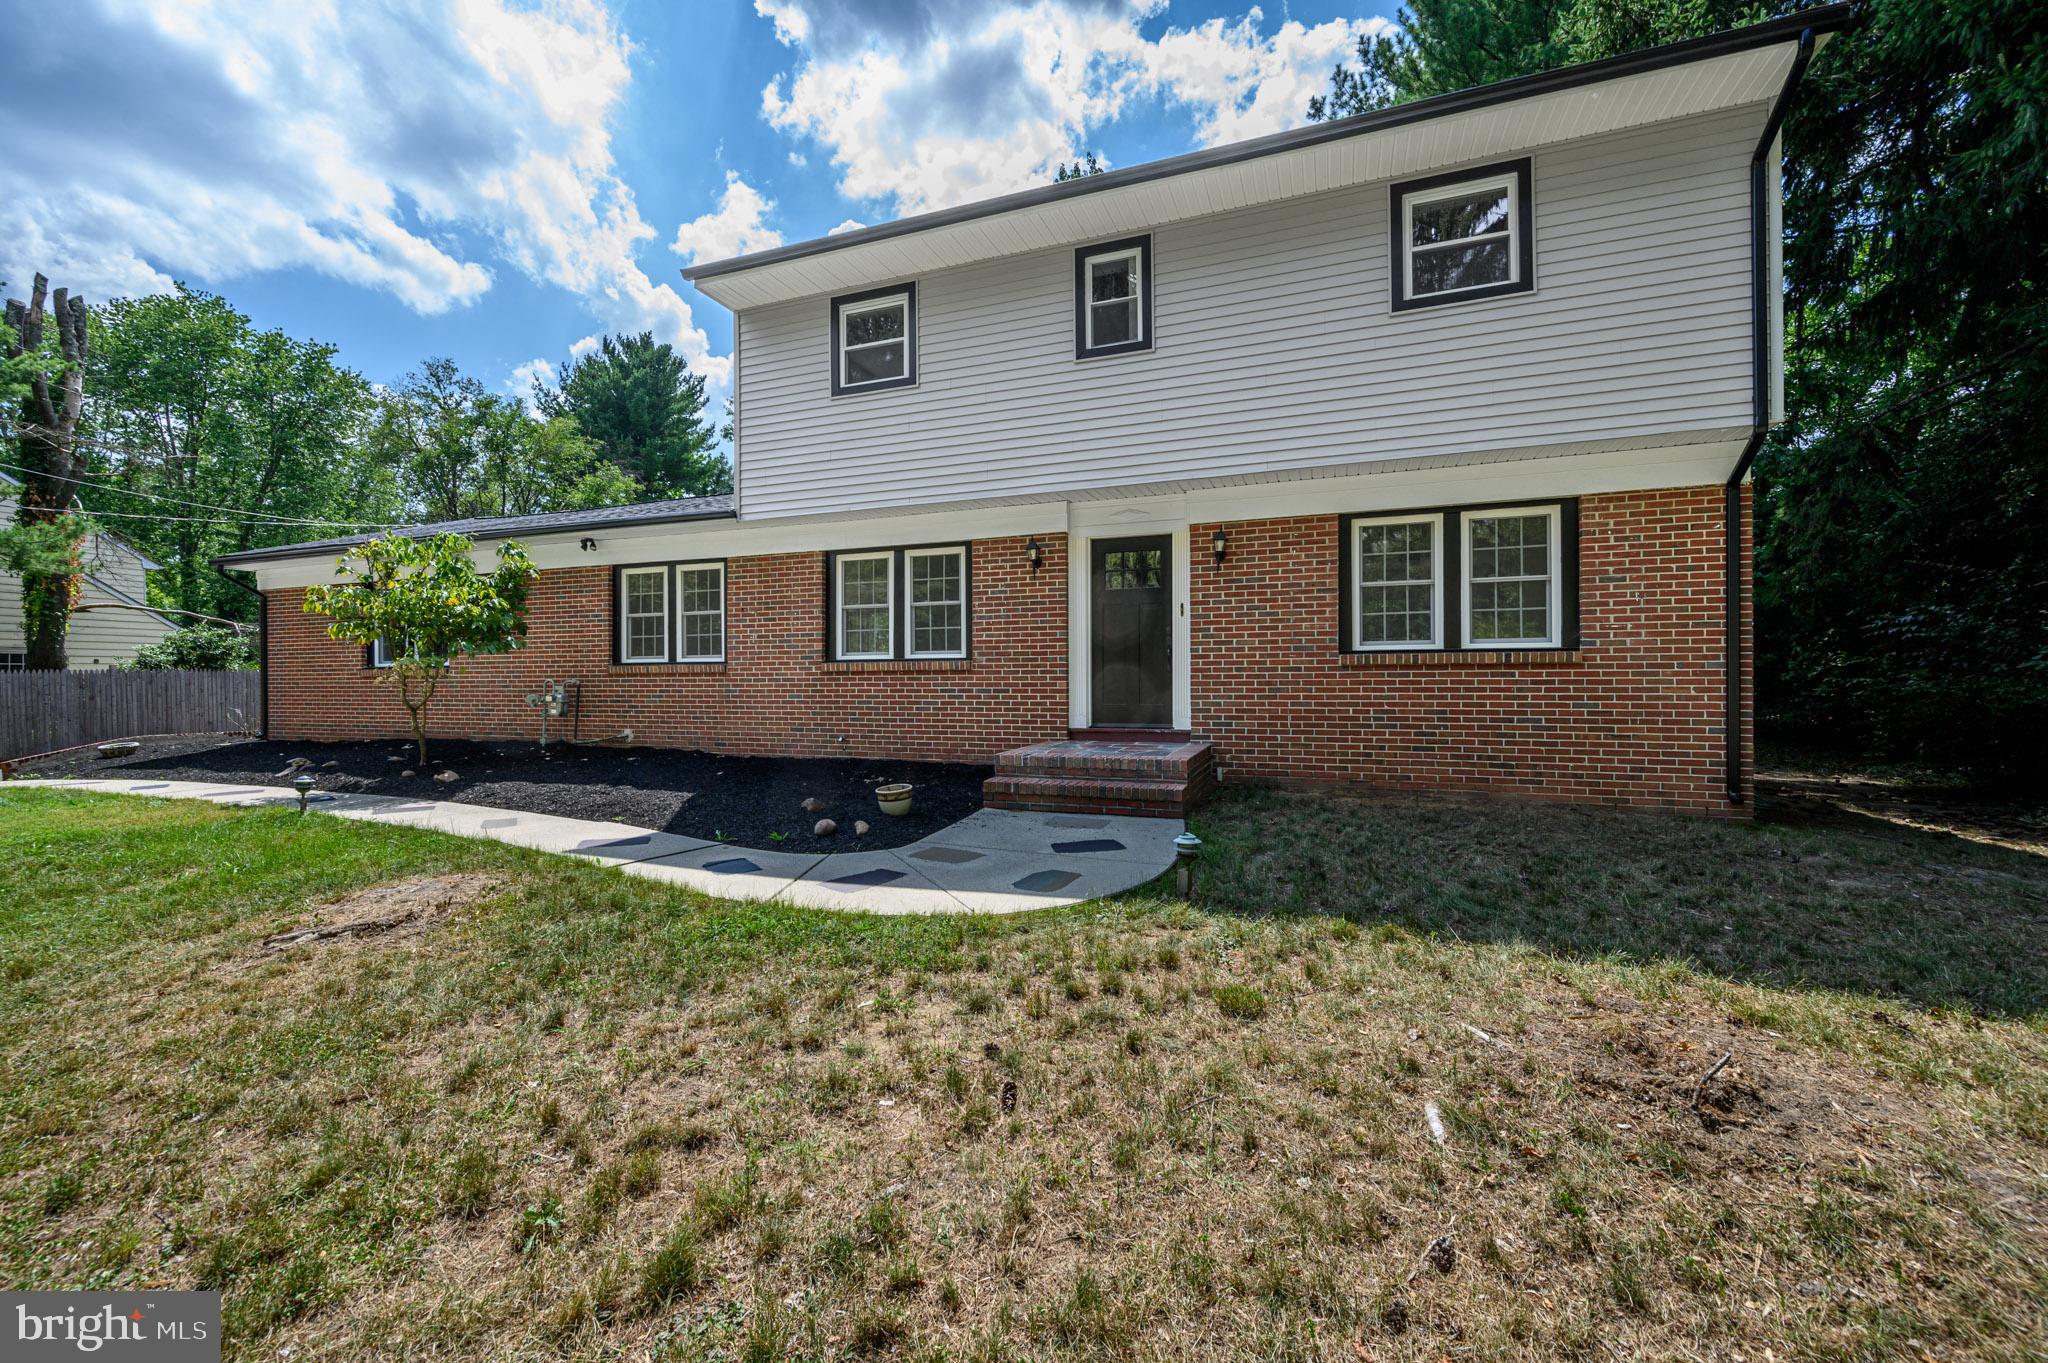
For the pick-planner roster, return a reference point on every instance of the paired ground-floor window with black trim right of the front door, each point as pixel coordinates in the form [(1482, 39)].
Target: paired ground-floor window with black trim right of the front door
[(1463, 578)]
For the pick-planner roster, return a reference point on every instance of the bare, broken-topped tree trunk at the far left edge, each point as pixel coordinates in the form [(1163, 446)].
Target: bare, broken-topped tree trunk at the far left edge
[(52, 461)]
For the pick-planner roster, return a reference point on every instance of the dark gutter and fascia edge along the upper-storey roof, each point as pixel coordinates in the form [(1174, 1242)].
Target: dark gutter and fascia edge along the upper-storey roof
[(1822, 19)]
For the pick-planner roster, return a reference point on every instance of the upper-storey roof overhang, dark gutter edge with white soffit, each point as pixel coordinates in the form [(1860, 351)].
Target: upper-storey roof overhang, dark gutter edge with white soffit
[(1725, 71)]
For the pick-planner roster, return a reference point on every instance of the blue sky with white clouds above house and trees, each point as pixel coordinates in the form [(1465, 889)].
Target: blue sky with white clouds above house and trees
[(503, 181)]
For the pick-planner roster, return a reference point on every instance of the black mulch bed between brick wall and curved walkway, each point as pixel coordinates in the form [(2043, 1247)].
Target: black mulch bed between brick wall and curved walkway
[(744, 801)]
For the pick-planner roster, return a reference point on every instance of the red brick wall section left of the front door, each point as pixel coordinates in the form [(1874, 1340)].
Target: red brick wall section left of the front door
[(773, 695)]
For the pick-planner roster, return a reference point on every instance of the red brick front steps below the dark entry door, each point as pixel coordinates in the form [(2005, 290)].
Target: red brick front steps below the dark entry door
[(1103, 779)]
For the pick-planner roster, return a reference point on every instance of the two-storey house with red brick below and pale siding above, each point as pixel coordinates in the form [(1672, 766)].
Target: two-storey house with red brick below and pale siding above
[(1398, 451)]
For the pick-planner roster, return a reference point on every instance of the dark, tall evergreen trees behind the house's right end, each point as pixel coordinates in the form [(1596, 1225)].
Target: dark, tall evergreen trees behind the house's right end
[(1902, 572)]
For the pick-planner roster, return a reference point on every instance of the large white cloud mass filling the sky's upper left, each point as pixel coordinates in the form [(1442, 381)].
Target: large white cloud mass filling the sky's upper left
[(398, 148)]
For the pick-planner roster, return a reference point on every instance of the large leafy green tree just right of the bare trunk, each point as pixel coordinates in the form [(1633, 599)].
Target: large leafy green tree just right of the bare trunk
[(222, 439)]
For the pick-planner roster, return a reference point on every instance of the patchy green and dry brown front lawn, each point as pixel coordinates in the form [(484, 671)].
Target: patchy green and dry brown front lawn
[(572, 1114)]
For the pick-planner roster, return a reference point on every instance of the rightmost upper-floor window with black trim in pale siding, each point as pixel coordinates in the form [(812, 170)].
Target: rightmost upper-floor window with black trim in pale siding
[(1463, 236)]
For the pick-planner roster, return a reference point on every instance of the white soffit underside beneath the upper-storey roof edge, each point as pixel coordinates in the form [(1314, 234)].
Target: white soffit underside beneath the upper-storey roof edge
[(1482, 134)]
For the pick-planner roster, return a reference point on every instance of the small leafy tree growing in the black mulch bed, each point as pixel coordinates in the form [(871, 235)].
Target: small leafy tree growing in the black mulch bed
[(431, 605)]
